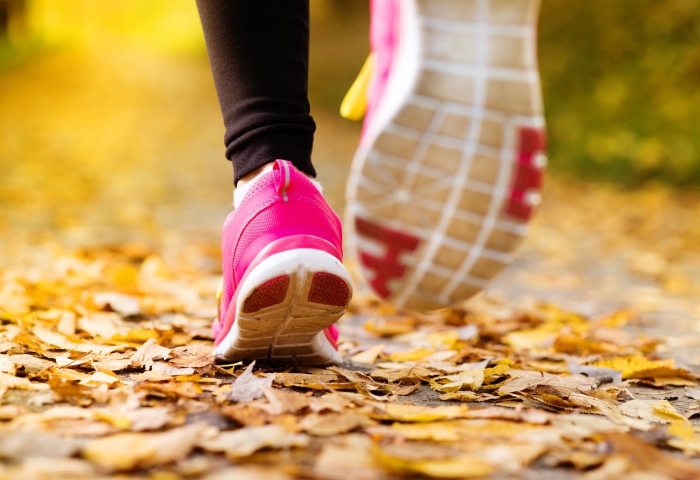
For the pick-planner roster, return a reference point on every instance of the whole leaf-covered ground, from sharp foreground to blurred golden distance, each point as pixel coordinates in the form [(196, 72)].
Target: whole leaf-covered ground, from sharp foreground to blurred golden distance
[(580, 362)]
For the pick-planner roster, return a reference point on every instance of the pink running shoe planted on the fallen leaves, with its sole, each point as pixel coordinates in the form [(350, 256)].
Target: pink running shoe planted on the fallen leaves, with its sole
[(284, 284)]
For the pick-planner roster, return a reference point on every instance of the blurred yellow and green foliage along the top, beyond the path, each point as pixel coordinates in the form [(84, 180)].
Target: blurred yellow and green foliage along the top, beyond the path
[(620, 77)]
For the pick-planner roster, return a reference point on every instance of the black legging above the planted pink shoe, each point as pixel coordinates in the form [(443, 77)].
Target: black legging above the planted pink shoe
[(259, 54)]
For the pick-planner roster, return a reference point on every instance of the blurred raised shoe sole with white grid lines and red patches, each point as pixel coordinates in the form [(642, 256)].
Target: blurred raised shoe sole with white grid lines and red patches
[(448, 172)]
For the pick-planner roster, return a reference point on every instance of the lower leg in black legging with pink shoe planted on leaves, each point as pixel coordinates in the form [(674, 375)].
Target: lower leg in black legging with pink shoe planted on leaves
[(284, 284)]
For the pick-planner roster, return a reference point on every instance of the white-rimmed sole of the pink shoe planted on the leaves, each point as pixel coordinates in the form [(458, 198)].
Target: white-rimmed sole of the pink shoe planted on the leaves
[(283, 307)]
